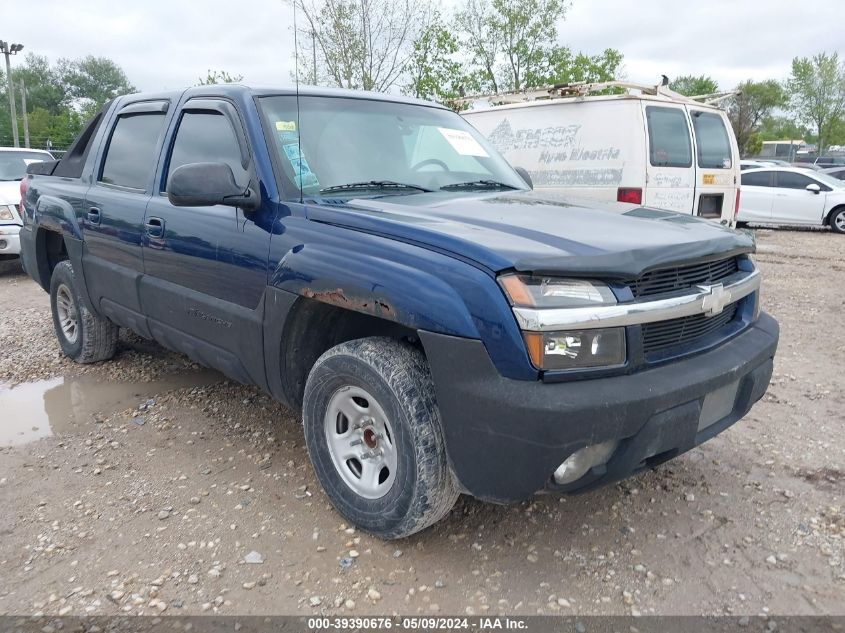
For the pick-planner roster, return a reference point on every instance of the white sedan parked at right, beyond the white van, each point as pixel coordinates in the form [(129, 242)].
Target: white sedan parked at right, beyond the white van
[(792, 196)]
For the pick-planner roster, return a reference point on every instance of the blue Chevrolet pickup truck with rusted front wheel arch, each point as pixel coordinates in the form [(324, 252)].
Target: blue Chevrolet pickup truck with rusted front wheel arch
[(374, 263)]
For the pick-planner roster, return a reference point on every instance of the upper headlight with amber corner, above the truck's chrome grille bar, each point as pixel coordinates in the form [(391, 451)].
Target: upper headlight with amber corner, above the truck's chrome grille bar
[(526, 291)]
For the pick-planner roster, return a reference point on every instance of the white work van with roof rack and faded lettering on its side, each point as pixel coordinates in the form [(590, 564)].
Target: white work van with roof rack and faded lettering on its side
[(649, 145)]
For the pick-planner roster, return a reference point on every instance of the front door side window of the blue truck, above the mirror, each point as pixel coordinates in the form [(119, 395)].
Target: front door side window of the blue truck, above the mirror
[(206, 137)]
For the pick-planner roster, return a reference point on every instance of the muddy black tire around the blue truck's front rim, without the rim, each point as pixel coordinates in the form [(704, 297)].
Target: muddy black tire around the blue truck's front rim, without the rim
[(397, 375)]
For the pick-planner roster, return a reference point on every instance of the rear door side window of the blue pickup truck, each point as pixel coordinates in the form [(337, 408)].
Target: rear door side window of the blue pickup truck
[(130, 158)]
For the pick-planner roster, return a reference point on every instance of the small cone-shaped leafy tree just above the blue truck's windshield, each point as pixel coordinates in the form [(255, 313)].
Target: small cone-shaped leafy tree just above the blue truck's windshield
[(434, 72)]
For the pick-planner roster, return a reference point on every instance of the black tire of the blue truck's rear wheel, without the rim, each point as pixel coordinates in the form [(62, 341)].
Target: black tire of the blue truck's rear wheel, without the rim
[(95, 338)]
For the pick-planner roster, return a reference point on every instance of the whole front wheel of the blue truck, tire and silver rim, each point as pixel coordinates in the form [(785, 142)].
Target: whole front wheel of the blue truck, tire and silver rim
[(373, 433)]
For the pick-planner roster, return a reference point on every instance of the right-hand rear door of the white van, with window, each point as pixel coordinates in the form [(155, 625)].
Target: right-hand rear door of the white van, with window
[(716, 156)]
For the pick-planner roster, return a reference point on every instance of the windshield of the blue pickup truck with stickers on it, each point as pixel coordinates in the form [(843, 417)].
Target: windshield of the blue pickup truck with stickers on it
[(366, 147)]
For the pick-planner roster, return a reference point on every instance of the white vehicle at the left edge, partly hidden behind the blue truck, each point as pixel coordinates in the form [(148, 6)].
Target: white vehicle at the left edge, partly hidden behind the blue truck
[(13, 164)]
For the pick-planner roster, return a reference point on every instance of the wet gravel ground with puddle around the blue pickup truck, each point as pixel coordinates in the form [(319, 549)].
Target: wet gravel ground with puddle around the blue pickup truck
[(157, 486)]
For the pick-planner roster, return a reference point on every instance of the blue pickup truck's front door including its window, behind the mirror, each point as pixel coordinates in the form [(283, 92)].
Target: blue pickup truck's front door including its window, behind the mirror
[(206, 267)]
